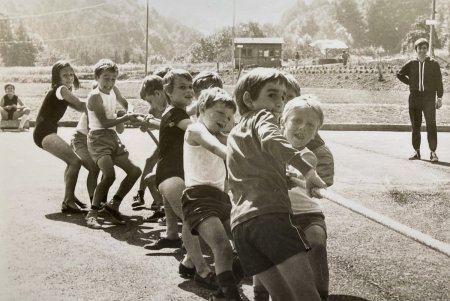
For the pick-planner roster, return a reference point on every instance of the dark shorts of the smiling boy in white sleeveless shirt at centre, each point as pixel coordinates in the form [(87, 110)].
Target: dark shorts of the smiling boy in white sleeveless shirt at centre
[(200, 202)]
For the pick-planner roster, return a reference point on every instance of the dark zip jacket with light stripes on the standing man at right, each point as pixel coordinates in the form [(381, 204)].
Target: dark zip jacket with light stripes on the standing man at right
[(422, 76)]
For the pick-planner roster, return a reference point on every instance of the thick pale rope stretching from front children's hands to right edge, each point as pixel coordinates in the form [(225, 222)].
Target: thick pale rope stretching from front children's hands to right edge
[(381, 219)]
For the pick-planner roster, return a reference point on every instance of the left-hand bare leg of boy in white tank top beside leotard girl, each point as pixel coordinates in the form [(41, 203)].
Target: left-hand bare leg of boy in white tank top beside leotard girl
[(106, 165)]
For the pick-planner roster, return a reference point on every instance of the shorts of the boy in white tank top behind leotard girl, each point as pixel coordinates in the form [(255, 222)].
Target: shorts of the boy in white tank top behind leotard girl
[(105, 143)]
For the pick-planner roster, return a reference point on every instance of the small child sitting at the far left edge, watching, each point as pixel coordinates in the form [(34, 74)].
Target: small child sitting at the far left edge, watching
[(12, 108)]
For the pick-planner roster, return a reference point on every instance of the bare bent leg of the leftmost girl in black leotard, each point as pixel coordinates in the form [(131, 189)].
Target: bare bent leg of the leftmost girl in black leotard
[(60, 149)]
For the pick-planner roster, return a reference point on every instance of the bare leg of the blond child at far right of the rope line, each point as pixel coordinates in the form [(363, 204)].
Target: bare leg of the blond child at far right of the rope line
[(317, 256)]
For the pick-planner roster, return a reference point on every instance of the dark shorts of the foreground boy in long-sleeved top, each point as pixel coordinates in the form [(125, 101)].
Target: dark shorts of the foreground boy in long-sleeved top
[(266, 241)]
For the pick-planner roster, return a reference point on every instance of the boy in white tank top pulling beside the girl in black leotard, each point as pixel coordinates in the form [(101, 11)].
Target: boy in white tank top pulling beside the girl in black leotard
[(104, 145)]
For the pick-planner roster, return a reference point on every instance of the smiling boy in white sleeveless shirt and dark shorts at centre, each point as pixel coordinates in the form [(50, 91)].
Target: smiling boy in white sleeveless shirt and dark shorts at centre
[(206, 206)]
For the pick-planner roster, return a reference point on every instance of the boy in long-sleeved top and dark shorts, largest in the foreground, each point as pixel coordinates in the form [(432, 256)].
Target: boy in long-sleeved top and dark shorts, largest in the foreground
[(267, 242)]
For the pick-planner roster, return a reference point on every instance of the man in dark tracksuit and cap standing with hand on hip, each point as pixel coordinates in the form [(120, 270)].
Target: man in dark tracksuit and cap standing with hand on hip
[(423, 75)]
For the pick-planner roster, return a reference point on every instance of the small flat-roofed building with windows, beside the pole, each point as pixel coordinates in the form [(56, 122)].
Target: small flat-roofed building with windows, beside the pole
[(258, 52)]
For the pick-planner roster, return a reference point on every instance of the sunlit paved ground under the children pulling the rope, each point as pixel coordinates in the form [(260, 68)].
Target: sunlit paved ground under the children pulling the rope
[(46, 255)]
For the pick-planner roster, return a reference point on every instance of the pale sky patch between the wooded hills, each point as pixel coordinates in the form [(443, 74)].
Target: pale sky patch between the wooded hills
[(209, 15)]
